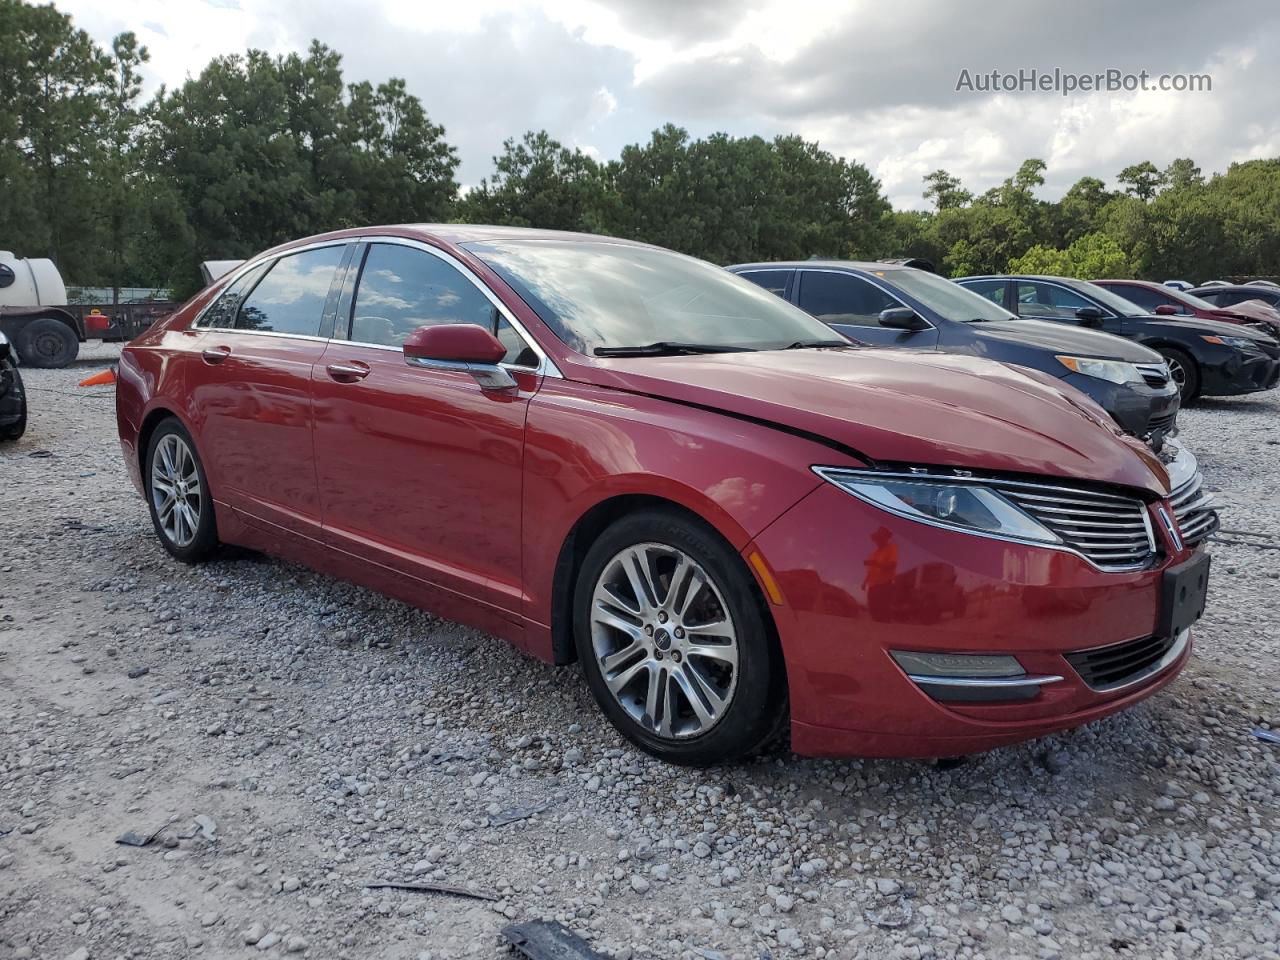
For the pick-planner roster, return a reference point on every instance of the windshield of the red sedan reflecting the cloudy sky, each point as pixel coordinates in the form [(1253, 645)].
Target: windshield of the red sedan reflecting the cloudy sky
[(598, 295)]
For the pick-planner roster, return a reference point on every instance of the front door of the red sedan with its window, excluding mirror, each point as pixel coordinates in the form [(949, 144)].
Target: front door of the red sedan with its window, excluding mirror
[(420, 470)]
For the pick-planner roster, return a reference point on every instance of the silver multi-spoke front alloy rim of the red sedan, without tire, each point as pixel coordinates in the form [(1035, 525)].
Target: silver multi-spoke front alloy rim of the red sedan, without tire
[(665, 641)]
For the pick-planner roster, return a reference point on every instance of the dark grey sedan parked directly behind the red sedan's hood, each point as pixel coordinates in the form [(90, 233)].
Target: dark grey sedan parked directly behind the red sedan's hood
[(898, 307)]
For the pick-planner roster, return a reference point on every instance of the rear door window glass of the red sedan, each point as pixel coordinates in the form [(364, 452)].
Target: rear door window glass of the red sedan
[(292, 295)]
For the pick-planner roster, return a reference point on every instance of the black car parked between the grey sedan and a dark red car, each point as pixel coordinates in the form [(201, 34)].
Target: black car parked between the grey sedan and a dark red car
[(1206, 358)]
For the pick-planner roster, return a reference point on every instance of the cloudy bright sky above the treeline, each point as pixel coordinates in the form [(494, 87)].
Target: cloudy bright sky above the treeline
[(871, 81)]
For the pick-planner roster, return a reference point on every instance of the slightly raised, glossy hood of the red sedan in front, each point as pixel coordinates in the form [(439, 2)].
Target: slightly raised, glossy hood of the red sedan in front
[(906, 408)]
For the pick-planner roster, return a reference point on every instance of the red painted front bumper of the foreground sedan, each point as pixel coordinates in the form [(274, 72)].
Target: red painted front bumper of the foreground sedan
[(948, 593)]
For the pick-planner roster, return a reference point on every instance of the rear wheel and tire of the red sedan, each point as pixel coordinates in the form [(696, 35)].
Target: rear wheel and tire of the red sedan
[(182, 509)]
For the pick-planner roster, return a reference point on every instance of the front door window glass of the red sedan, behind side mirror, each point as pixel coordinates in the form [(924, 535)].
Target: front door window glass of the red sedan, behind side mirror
[(403, 290)]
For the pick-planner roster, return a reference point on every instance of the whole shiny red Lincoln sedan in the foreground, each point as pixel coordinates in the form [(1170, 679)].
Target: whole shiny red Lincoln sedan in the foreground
[(611, 454)]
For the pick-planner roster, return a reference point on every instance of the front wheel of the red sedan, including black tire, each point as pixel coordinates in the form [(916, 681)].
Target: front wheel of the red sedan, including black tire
[(675, 642)]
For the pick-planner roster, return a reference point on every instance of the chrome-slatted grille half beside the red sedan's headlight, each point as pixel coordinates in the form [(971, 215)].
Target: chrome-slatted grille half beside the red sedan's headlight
[(1112, 531)]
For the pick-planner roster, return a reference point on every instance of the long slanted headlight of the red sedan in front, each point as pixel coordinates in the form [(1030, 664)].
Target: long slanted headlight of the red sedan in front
[(970, 508)]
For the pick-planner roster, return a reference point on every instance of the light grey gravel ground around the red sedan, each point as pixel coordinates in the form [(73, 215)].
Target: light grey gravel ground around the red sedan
[(328, 738)]
